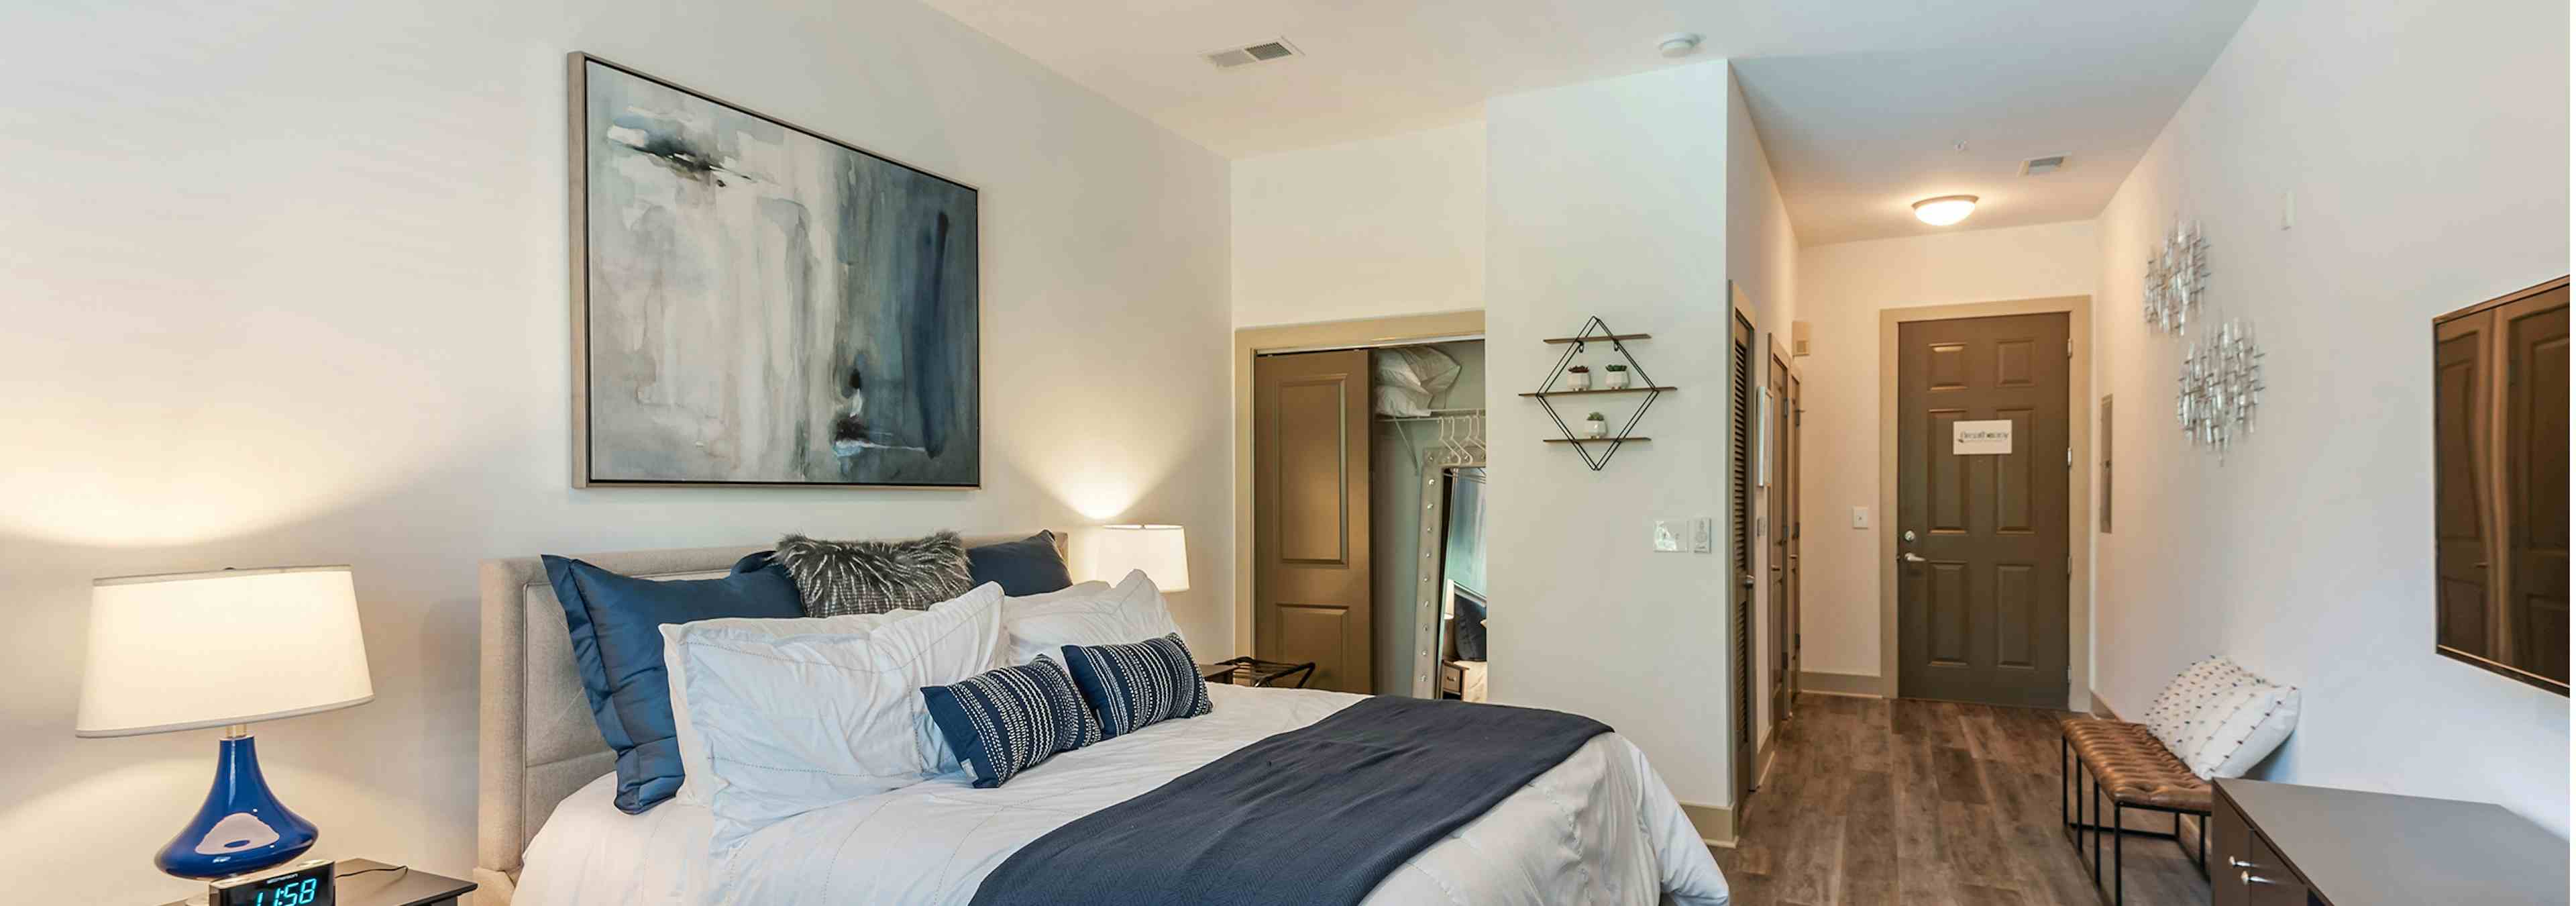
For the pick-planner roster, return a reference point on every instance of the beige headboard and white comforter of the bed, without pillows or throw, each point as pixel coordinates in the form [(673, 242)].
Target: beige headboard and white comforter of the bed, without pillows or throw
[(1598, 827)]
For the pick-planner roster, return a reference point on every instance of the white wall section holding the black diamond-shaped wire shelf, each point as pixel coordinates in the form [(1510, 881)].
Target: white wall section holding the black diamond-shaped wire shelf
[(1611, 199)]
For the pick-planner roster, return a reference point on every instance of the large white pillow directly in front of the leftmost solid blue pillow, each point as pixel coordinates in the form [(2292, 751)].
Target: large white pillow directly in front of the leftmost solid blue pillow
[(805, 722)]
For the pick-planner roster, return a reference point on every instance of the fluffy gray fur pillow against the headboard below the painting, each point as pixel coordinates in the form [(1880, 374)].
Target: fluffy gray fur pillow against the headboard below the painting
[(836, 578)]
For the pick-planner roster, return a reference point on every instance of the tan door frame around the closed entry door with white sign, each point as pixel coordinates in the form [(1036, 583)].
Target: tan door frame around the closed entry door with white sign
[(2078, 480)]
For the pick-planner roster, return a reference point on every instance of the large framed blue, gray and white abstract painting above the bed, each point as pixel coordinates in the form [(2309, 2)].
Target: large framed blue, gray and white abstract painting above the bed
[(764, 305)]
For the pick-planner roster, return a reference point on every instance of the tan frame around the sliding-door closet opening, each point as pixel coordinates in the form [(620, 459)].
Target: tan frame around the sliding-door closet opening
[(1310, 338)]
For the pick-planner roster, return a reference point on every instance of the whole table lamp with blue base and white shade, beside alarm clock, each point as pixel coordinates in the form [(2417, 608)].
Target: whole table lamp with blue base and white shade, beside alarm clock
[(228, 650)]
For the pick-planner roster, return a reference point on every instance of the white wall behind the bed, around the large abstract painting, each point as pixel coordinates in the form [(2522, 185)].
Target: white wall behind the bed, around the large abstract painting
[(287, 284)]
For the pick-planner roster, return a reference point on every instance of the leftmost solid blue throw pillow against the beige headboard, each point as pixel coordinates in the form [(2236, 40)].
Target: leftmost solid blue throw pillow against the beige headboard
[(617, 640)]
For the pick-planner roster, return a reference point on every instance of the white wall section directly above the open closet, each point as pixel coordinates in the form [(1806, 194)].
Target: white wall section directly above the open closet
[(1361, 230)]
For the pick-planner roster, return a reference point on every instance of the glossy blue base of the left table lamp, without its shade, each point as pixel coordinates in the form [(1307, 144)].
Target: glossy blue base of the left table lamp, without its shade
[(243, 827)]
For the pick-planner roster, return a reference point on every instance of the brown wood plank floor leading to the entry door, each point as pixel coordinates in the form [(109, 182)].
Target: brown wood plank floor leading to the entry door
[(1915, 802)]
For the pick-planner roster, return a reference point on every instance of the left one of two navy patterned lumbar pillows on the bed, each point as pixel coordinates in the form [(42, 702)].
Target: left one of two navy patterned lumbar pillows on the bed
[(1011, 719)]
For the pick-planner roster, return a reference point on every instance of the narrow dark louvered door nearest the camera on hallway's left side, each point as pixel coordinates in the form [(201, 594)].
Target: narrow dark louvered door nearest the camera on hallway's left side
[(1740, 544)]
